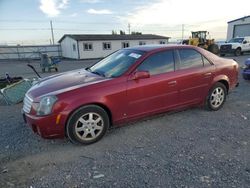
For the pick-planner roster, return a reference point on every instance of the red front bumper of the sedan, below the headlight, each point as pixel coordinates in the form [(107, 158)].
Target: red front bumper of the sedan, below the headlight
[(47, 126)]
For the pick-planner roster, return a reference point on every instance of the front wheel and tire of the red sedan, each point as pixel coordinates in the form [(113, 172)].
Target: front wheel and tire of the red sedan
[(87, 125)]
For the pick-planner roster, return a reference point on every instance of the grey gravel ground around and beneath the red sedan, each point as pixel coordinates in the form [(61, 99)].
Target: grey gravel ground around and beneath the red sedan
[(191, 148)]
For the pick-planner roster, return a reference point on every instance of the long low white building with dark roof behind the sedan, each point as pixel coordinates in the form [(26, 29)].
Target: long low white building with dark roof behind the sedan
[(98, 46)]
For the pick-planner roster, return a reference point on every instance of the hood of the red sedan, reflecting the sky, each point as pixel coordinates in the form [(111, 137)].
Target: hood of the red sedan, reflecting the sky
[(63, 82)]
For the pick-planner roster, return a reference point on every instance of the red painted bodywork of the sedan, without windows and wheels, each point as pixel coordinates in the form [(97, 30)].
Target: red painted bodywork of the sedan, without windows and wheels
[(125, 98)]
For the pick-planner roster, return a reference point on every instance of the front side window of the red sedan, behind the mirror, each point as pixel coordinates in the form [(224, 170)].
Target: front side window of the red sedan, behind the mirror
[(158, 63)]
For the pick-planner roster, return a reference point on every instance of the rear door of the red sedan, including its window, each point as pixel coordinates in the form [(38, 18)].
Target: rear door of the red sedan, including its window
[(195, 76)]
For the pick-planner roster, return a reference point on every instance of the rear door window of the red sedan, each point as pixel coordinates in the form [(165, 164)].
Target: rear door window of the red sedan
[(190, 58)]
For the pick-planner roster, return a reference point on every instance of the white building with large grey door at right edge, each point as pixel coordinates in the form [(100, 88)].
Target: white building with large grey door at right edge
[(238, 28)]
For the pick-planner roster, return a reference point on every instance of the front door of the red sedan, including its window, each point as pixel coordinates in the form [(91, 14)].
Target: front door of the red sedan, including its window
[(157, 92)]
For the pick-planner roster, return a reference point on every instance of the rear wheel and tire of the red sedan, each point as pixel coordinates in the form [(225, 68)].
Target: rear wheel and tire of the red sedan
[(216, 97)]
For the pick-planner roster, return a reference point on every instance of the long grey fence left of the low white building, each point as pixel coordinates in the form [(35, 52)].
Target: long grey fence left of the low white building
[(28, 52)]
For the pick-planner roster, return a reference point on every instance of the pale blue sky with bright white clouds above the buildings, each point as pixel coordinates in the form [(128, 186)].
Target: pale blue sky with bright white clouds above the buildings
[(28, 21)]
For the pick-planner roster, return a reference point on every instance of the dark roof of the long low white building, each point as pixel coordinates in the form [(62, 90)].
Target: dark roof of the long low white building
[(113, 37)]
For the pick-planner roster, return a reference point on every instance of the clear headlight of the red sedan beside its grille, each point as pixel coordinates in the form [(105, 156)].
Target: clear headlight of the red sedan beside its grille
[(44, 107)]
